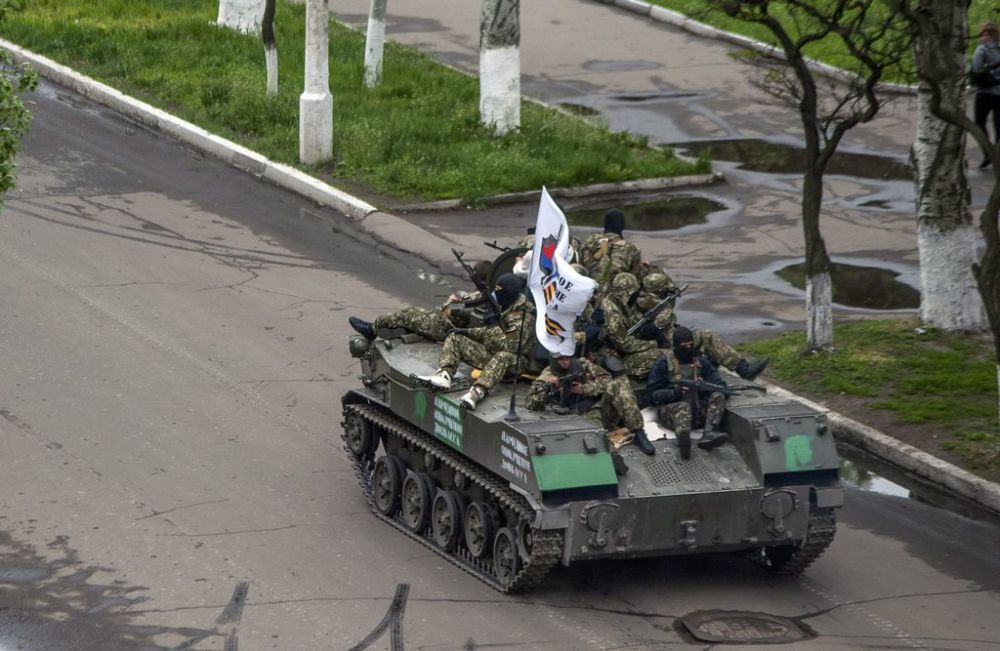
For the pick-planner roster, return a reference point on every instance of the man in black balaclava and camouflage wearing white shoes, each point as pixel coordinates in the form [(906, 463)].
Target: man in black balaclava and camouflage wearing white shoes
[(494, 349)]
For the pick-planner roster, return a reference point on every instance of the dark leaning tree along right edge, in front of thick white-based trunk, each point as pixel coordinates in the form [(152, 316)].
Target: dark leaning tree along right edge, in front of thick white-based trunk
[(935, 68)]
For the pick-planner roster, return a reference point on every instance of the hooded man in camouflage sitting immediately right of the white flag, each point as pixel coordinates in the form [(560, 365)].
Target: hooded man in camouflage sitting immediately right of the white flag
[(620, 313)]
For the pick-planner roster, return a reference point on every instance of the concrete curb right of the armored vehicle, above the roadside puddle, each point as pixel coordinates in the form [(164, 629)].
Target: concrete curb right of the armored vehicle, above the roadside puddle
[(903, 455)]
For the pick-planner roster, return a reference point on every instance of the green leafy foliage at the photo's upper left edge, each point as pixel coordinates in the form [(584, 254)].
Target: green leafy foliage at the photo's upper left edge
[(14, 117)]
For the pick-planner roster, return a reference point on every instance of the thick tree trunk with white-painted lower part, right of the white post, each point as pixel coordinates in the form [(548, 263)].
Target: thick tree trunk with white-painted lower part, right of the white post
[(500, 65)]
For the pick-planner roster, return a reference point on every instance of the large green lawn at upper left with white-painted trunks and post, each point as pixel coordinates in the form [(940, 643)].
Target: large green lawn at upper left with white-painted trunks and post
[(416, 136)]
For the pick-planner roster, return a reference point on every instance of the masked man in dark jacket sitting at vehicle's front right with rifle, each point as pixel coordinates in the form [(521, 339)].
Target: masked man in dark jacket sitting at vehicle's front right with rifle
[(682, 406)]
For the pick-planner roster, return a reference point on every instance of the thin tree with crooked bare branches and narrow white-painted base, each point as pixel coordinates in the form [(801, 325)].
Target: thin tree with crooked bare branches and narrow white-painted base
[(872, 37)]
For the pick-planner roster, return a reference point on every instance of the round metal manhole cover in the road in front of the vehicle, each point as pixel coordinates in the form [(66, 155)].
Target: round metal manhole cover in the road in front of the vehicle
[(743, 627)]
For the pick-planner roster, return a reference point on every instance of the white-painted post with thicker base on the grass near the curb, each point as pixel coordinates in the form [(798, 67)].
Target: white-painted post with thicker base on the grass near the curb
[(316, 102)]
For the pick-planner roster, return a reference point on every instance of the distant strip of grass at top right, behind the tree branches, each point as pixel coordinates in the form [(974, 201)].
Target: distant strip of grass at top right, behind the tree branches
[(830, 50)]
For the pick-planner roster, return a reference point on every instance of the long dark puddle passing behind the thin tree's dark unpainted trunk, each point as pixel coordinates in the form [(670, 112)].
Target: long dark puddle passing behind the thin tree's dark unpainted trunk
[(778, 158)]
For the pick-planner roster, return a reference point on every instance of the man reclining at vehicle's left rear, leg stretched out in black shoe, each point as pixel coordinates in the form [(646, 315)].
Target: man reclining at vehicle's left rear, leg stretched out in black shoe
[(430, 324)]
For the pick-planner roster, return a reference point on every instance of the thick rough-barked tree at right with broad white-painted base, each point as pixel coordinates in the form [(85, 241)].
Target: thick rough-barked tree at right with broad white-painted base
[(946, 235)]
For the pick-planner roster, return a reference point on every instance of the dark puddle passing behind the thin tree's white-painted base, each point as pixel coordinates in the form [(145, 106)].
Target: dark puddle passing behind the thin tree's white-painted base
[(856, 286)]
